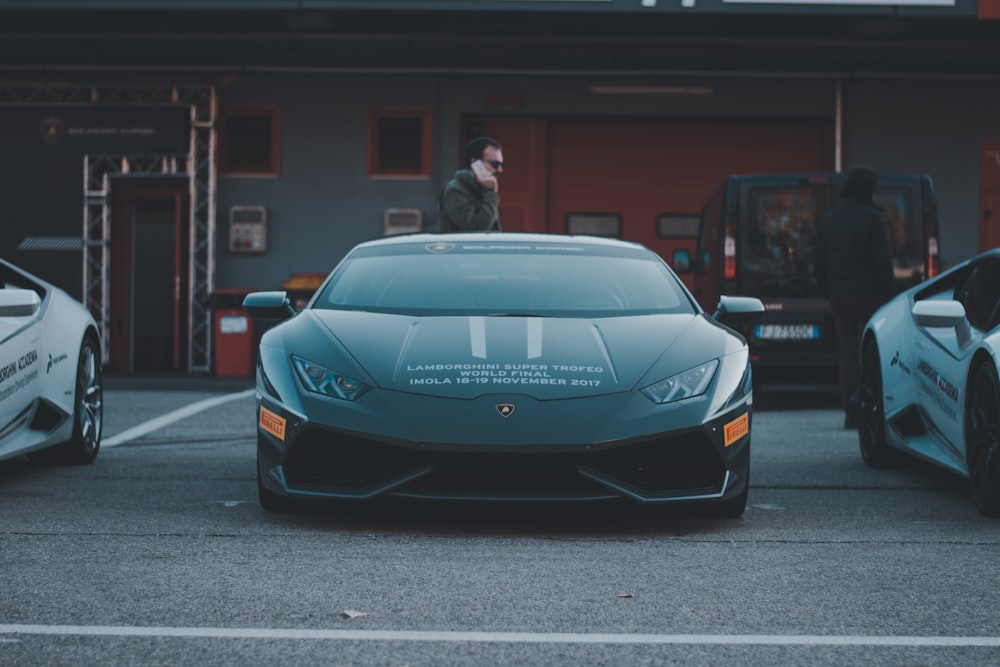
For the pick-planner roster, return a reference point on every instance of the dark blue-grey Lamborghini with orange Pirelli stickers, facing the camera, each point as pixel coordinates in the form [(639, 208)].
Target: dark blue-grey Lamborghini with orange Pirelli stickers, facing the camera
[(497, 367)]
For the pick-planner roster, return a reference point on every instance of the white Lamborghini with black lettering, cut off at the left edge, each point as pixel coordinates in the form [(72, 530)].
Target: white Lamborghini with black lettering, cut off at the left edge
[(50, 372)]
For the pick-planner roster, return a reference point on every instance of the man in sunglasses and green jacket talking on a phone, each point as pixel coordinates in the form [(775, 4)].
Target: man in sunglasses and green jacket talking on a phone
[(469, 201)]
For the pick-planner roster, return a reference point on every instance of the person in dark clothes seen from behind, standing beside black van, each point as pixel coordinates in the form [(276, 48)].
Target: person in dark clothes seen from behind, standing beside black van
[(853, 263)]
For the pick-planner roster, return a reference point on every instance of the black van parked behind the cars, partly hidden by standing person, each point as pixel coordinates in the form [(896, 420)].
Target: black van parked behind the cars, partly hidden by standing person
[(755, 239)]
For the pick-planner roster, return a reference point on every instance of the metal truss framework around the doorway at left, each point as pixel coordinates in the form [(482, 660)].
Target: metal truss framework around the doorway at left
[(100, 170)]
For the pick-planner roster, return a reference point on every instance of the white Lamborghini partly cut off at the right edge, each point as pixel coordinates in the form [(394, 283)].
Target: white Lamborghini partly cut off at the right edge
[(929, 377)]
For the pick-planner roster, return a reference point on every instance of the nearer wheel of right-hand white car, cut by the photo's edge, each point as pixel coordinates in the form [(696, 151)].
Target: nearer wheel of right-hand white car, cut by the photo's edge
[(982, 437)]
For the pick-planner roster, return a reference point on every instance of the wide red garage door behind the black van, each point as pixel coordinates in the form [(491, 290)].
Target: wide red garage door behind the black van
[(652, 177)]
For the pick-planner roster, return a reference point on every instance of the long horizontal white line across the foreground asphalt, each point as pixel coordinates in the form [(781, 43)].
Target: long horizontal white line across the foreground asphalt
[(497, 637)]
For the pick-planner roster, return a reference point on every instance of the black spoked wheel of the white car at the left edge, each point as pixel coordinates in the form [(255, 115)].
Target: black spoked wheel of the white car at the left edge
[(88, 413)]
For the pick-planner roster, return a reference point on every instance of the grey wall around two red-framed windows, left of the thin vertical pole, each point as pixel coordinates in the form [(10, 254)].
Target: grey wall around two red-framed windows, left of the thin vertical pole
[(323, 202)]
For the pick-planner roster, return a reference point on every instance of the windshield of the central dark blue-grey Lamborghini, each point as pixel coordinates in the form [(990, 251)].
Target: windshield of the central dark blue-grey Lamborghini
[(530, 279)]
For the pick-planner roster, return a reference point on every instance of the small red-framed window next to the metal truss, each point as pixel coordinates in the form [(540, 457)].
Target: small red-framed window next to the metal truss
[(250, 141)]
